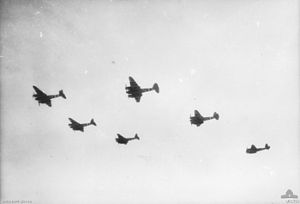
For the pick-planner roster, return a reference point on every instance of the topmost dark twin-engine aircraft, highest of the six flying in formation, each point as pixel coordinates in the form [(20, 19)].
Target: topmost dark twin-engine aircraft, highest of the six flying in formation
[(136, 92)]
